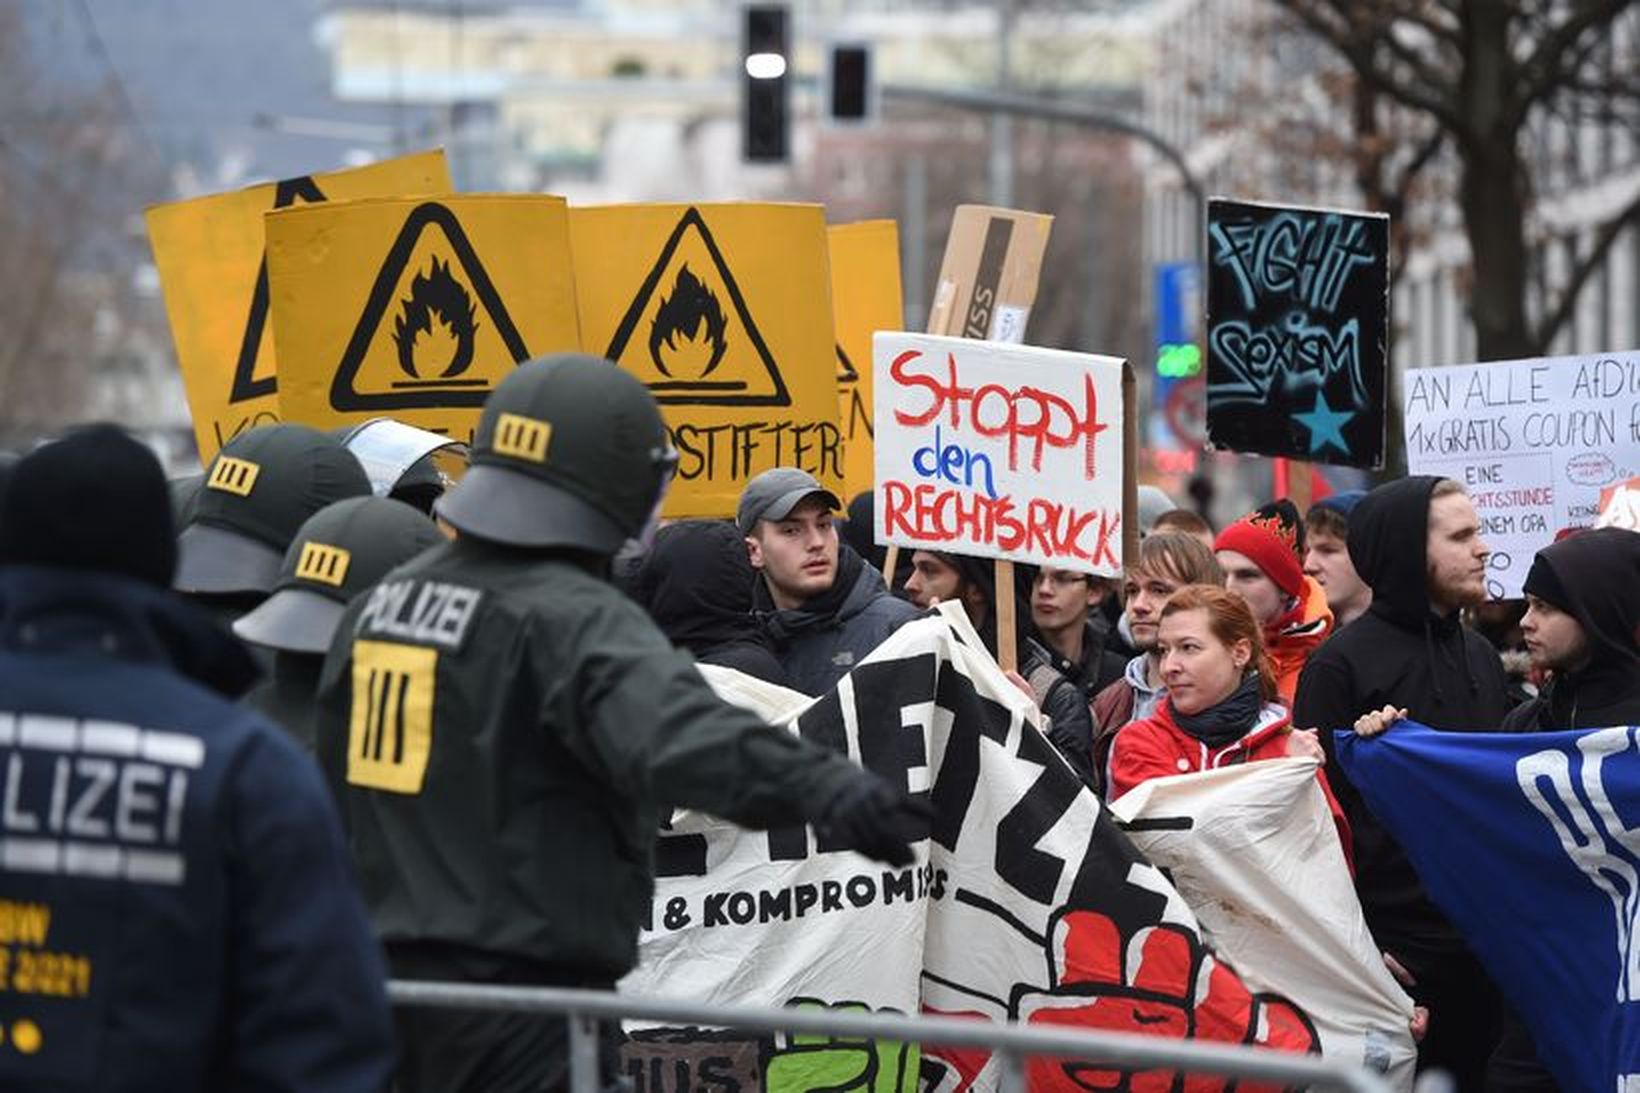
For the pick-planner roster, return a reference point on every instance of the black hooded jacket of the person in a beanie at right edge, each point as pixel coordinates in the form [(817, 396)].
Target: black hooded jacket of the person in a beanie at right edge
[(1600, 579)]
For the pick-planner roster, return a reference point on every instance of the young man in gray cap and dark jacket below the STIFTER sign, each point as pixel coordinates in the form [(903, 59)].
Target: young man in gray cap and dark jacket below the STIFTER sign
[(822, 606)]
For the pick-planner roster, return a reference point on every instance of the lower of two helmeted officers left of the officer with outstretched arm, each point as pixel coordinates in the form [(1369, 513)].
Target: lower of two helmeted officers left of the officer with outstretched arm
[(340, 551)]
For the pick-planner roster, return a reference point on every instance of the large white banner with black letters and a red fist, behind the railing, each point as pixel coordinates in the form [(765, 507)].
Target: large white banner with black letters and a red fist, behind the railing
[(1027, 903)]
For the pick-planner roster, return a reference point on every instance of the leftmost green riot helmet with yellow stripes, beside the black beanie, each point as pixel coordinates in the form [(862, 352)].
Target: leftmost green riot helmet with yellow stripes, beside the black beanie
[(258, 492)]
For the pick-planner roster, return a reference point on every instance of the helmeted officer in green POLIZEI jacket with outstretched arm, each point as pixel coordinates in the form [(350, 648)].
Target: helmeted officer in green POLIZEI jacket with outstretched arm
[(504, 731)]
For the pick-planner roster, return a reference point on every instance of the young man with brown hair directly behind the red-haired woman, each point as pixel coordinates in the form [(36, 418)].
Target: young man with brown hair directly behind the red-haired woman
[(1167, 562)]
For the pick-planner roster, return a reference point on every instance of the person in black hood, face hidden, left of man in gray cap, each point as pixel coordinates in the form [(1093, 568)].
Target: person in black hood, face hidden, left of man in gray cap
[(696, 583)]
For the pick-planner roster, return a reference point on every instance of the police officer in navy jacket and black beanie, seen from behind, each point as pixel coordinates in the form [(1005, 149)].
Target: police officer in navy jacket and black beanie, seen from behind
[(176, 905)]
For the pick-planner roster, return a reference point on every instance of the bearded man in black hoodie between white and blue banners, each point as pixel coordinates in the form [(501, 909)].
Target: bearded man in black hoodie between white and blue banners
[(1418, 544)]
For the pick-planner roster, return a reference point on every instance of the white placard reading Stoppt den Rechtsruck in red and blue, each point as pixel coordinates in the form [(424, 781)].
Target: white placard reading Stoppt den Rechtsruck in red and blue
[(1001, 450)]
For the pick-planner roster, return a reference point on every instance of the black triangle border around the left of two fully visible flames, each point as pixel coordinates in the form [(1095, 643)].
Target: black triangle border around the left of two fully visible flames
[(344, 396)]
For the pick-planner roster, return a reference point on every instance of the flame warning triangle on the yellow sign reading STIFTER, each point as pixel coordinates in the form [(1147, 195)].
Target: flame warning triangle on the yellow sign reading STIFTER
[(688, 334)]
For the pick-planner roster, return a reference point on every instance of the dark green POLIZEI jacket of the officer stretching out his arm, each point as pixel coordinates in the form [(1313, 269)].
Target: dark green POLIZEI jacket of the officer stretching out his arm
[(504, 731)]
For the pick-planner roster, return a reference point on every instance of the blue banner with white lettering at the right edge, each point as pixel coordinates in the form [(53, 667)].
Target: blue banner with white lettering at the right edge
[(1531, 844)]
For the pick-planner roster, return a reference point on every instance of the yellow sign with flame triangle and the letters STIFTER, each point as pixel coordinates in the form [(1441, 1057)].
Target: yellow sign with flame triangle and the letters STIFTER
[(726, 314)]
